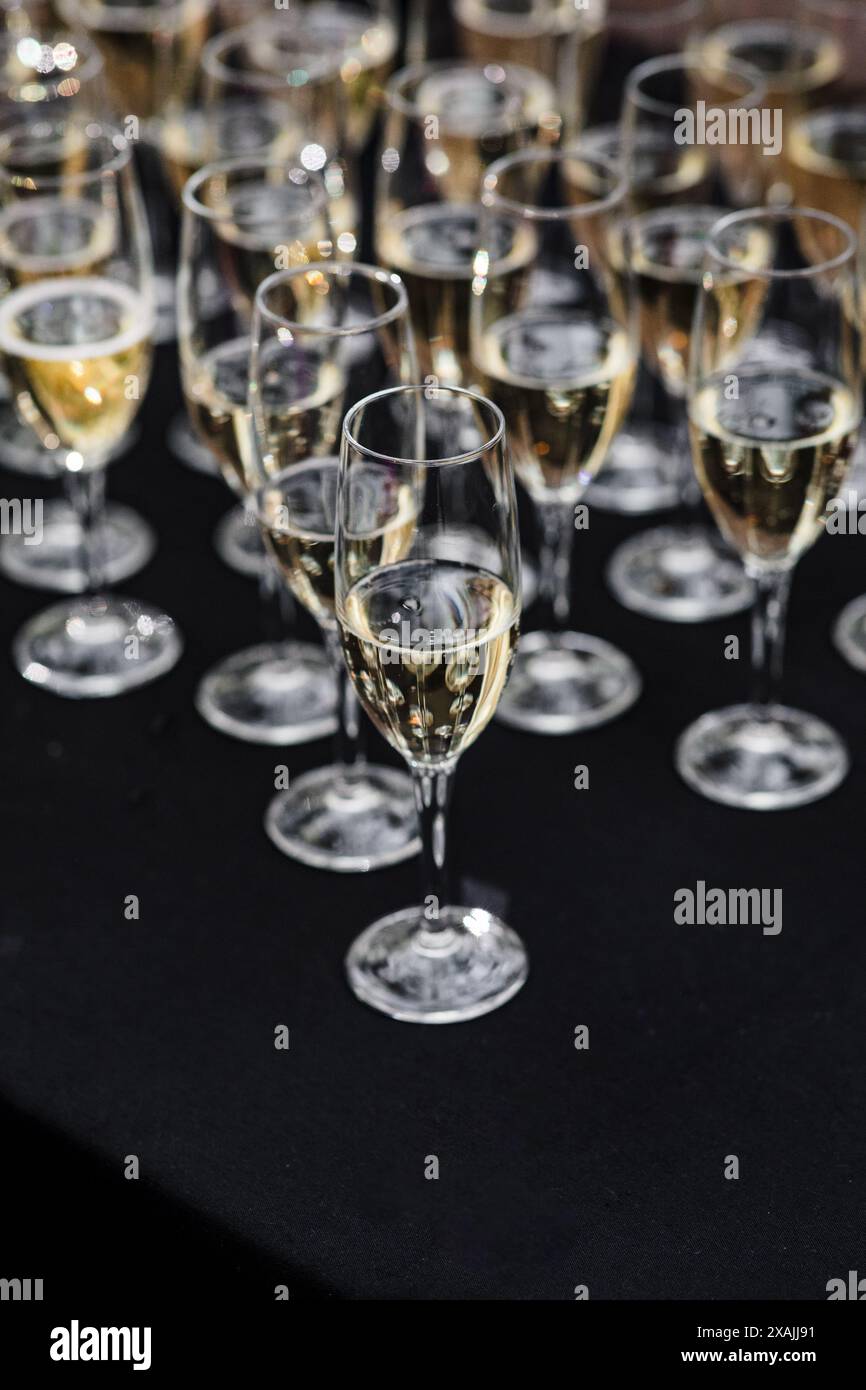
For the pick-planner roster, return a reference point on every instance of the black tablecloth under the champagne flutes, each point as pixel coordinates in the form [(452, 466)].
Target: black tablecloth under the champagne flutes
[(558, 1167)]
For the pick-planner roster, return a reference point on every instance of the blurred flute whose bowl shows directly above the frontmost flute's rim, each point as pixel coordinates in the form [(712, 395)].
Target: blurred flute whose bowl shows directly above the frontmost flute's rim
[(446, 123)]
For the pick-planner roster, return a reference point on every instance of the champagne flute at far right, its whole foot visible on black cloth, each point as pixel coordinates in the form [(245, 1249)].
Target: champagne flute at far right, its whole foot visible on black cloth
[(772, 440)]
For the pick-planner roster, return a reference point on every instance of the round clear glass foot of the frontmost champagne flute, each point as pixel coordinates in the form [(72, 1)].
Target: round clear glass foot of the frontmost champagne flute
[(468, 968)]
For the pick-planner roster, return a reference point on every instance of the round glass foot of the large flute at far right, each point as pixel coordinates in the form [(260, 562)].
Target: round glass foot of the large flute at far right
[(761, 760)]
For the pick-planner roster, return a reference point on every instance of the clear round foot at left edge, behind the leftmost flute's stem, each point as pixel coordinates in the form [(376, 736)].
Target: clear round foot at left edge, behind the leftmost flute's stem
[(126, 546)]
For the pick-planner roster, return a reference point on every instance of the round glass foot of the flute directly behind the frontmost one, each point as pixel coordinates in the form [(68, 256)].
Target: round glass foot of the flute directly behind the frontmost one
[(347, 821)]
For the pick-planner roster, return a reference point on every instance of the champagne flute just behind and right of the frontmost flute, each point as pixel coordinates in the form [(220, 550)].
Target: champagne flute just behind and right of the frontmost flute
[(553, 338)]
